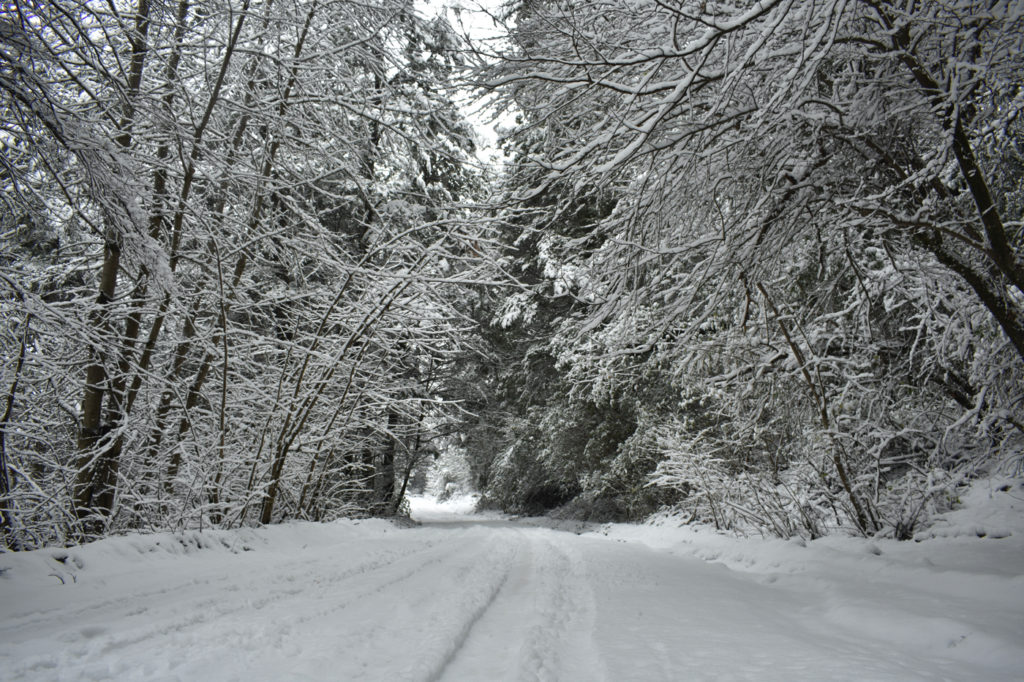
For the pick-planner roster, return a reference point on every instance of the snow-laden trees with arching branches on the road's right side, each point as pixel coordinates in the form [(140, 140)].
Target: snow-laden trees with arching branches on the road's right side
[(820, 229)]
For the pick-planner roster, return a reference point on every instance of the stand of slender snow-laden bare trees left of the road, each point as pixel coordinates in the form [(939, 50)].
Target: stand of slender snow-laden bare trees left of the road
[(266, 194)]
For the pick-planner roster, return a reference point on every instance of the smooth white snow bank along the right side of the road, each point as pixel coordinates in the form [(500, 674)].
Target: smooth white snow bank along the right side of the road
[(959, 589)]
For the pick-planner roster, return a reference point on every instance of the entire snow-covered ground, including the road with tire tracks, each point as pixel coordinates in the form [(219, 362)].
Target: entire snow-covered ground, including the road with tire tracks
[(493, 600)]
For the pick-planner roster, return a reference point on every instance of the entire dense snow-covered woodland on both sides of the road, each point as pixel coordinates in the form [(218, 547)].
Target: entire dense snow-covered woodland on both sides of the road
[(760, 265)]
